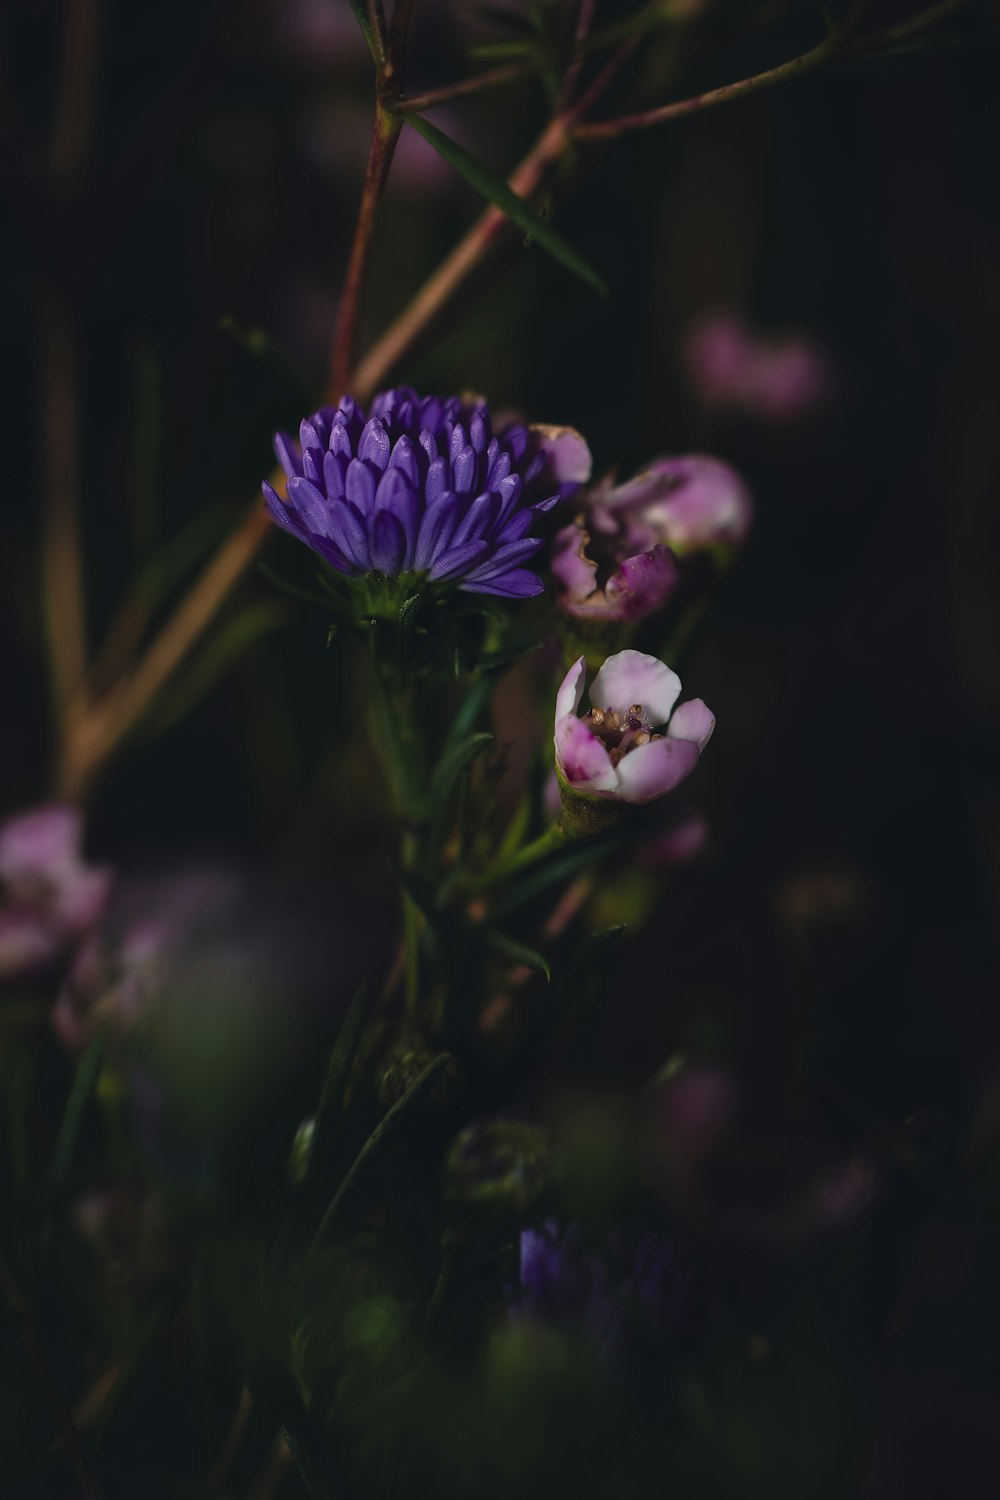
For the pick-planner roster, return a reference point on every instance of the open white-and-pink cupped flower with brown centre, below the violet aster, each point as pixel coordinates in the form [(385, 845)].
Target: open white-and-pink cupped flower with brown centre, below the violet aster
[(615, 752)]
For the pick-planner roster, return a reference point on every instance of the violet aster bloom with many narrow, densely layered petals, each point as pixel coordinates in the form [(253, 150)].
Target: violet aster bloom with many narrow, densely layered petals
[(425, 488)]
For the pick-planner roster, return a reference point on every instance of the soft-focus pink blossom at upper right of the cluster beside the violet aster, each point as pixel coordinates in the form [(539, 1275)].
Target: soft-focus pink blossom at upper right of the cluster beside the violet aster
[(684, 503)]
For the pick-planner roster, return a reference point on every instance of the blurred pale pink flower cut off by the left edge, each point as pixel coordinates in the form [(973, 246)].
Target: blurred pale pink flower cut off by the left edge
[(53, 896)]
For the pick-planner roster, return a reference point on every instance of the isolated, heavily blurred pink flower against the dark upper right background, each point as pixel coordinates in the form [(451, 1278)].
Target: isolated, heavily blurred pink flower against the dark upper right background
[(774, 379)]
